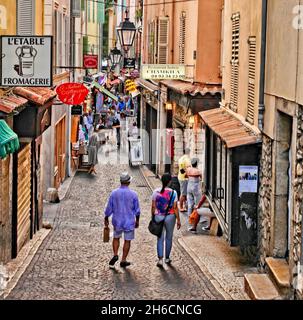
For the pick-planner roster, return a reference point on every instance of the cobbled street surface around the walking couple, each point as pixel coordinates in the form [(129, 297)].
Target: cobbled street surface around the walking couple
[(72, 263)]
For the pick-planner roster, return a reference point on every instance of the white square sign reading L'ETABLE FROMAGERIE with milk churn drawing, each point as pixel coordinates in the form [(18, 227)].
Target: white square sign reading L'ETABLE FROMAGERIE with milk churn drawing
[(26, 61)]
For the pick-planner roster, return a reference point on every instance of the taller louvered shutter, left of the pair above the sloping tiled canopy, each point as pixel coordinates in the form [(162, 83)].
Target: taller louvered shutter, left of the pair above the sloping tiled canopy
[(234, 83)]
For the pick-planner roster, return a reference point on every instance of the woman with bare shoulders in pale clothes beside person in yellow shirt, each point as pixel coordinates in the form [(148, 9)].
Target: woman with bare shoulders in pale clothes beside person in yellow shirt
[(194, 191)]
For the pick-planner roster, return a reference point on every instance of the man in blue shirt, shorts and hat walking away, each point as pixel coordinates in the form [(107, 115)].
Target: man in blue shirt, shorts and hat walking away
[(123, 206)]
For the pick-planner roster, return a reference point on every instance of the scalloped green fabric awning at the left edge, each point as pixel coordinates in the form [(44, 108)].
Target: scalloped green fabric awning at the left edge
[(9, 142)]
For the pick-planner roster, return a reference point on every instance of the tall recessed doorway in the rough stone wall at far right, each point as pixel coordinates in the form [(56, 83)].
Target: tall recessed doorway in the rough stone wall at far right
[(283, 192)]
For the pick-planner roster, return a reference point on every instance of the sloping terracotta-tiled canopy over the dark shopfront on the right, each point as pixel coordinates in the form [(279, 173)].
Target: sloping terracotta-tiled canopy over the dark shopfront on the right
[(230, 129)]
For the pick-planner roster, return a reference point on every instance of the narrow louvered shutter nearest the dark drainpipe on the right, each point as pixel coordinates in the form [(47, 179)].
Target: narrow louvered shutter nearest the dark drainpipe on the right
[(251, 79)]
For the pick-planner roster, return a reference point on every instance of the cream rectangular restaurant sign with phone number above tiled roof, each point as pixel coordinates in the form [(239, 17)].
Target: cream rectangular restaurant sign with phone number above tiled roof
[(163, 71)]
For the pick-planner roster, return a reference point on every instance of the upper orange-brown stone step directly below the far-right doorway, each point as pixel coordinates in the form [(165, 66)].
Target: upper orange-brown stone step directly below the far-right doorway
[(279, 270)]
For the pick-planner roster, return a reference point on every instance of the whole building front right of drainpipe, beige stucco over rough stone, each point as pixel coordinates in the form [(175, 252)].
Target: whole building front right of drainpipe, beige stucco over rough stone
[(281, 184)]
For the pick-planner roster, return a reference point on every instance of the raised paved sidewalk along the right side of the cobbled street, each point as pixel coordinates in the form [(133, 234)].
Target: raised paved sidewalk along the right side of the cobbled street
[(220, 263)]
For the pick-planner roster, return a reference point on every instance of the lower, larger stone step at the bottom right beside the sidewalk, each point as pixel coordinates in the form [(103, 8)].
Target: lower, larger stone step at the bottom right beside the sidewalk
[(260, 287)]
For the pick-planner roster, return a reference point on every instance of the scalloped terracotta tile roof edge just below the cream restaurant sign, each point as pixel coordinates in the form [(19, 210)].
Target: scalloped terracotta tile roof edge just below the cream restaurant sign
[(193, 89)]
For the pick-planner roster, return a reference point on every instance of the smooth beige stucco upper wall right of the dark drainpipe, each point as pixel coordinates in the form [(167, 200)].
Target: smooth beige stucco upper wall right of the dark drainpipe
[(284, 59)]
